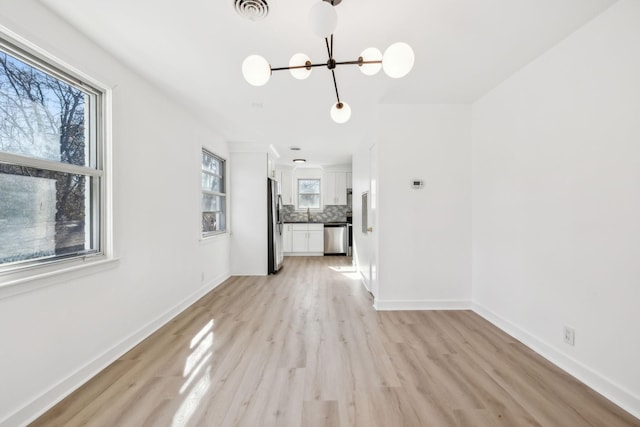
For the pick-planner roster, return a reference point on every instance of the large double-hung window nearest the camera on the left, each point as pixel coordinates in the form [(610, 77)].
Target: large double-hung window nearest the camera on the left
[(51, 165)]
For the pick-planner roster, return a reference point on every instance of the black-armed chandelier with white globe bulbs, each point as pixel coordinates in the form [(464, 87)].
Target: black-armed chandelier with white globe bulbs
[(396, 62)]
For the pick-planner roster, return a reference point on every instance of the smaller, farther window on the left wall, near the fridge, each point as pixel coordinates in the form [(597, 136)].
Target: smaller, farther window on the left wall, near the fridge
[(214, 198)]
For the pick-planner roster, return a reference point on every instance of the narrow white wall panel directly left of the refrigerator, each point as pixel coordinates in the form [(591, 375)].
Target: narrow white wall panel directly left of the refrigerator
[(249, 211)]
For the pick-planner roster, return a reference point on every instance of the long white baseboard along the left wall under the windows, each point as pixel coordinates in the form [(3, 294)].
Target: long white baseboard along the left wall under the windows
[(49, 398)]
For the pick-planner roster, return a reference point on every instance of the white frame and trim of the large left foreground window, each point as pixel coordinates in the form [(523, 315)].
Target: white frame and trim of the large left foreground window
[(19, 273)]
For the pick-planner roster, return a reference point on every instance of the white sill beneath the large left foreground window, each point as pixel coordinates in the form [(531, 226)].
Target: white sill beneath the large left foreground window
[(20, 282)]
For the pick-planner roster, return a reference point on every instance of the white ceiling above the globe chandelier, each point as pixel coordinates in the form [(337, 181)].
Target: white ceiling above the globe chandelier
[(194, 49)]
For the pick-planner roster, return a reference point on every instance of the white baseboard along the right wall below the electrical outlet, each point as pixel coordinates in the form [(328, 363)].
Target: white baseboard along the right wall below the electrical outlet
[(598, 382)]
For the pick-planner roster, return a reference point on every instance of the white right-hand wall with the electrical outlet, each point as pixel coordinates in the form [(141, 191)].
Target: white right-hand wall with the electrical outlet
[(556, 203)]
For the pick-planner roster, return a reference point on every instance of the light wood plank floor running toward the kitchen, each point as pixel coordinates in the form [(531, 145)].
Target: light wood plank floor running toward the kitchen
[(305, 348)]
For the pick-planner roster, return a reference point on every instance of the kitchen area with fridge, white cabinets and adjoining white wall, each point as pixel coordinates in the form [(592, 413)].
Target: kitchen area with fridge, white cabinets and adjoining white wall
[(282, 209)]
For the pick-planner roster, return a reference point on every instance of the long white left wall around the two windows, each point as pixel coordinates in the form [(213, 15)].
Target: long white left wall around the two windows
[(63, 332)]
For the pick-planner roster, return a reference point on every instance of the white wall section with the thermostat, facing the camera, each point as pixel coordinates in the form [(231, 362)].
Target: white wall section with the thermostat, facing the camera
[(424, 236)]
